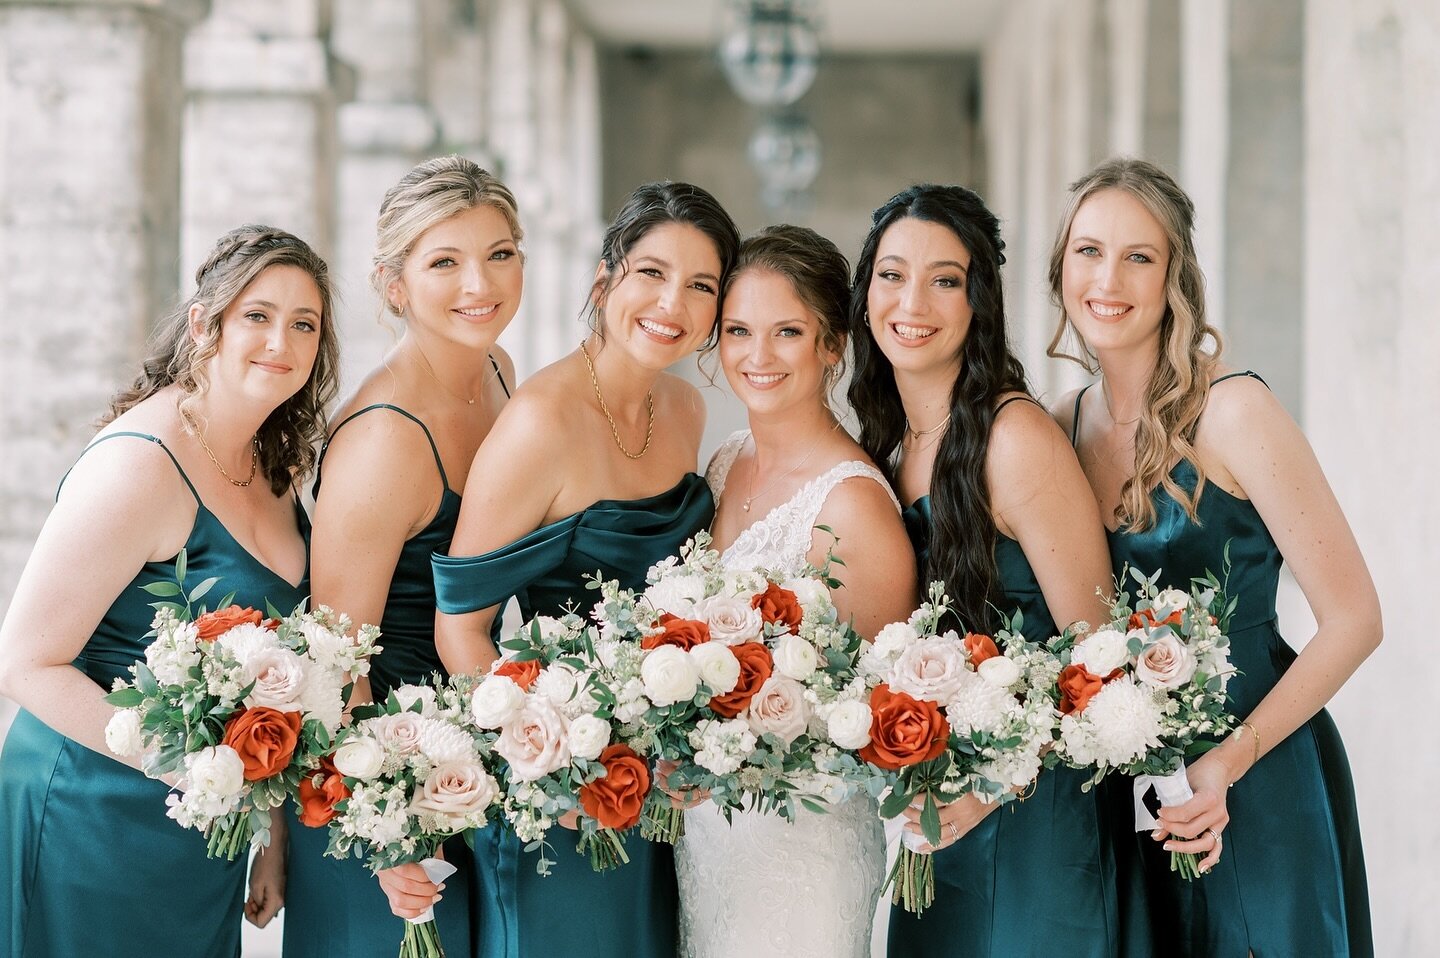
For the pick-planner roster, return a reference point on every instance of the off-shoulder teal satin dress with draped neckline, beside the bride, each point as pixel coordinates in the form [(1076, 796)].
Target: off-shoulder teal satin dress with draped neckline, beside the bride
[(630, 913)]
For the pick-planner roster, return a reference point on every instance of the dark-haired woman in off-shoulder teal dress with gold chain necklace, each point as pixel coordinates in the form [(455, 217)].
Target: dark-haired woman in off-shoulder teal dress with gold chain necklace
[(591, 469)]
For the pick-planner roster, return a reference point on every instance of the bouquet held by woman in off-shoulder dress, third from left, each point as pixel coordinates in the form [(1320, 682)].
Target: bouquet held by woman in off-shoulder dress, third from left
[(555, 715)]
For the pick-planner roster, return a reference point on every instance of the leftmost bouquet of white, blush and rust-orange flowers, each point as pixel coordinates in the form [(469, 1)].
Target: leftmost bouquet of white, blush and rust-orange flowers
[(240, 704)]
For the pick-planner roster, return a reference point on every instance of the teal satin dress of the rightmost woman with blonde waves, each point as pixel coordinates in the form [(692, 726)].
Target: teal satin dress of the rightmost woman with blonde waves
[(1292, 877)]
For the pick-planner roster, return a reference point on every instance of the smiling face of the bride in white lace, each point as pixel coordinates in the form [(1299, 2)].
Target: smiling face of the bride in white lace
[(770, 345)]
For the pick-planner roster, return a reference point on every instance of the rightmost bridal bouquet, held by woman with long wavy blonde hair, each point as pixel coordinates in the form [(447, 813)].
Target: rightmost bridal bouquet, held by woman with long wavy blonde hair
[(1147, 692)]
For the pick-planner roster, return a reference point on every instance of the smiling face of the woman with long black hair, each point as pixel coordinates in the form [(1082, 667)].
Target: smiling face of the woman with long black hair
[(919, 303)]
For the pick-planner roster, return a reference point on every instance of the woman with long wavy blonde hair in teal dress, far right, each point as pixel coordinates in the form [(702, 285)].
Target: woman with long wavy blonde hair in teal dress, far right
[(1186, 459)]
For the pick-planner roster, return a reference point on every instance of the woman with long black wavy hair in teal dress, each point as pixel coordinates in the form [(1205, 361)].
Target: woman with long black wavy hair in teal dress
[(999, 509)]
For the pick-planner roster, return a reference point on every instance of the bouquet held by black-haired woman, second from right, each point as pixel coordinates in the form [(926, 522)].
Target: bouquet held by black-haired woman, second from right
[(948, 717)]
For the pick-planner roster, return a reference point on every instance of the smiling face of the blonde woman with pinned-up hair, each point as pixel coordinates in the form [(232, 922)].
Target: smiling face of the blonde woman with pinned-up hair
[(463, 279)]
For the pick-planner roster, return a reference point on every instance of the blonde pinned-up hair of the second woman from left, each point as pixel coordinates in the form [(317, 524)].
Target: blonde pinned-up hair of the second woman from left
[(430, 194)]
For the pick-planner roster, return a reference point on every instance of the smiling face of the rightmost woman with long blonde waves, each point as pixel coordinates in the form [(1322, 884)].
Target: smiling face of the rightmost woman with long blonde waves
[(1114, 273)]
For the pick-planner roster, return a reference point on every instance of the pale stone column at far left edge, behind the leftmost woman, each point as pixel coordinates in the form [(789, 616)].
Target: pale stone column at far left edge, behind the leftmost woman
[(90, 158)]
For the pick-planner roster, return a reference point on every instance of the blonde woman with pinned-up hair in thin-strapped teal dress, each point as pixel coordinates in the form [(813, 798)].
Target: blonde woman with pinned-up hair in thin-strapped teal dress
[(449, 264)]
